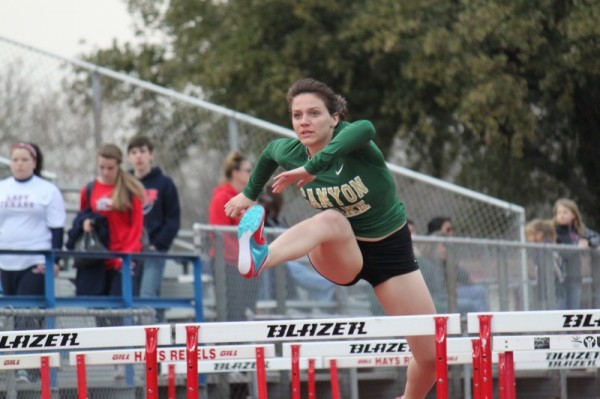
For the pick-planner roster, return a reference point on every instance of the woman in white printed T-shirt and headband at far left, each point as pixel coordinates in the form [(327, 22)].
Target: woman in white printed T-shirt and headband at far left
[(32, 217)]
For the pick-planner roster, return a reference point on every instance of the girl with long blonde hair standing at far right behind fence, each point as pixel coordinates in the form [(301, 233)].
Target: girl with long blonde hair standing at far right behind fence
[(570, 230)]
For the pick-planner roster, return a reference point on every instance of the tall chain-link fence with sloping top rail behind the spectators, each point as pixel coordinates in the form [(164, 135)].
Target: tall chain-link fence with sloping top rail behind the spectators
[(69, 107)]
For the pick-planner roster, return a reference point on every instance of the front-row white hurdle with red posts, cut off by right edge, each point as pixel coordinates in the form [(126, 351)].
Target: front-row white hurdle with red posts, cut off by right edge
[(564, 321)]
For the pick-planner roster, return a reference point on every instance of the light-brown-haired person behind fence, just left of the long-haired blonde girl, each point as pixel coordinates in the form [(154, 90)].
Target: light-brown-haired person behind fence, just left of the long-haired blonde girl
[(543, 232)]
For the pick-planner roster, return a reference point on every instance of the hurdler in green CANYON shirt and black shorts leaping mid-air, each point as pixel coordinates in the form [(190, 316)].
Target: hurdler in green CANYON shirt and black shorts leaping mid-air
[(361, 232)]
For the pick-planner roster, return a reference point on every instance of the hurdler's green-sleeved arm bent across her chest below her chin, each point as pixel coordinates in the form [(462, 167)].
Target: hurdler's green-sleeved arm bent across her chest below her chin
[(351, 137)]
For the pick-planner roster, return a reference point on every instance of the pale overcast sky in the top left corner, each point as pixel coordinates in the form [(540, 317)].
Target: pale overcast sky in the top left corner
[(65, 27)]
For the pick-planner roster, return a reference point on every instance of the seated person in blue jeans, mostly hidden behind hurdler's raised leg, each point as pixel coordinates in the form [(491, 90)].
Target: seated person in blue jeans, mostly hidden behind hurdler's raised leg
[(306, 278)]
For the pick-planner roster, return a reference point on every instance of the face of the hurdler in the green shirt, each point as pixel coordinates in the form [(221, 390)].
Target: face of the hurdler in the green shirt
[(312, 121)]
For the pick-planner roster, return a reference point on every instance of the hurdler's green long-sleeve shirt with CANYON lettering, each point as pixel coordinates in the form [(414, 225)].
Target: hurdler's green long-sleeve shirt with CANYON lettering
[(351, 176)]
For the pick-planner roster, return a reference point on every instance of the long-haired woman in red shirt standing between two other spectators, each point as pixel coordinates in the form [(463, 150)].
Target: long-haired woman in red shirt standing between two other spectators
[(119, 197)]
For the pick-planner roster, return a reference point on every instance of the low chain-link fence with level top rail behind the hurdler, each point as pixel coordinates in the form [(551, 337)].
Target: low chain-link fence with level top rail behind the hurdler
[(463, 275)]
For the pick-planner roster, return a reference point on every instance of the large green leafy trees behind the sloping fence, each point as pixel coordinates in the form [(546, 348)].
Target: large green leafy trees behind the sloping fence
[(500, 96)]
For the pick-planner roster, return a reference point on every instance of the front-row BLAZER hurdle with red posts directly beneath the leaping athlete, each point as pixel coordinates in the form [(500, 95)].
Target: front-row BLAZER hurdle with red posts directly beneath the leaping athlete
[(438, 326)]
